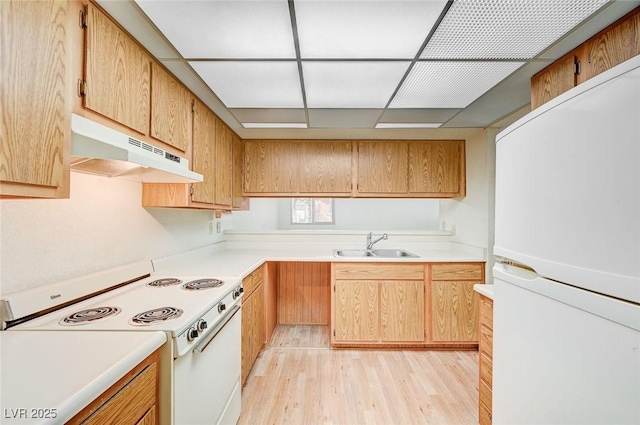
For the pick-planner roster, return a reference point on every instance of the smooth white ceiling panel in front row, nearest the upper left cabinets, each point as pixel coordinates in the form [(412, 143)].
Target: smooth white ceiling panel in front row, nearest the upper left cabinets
[(224, 29)]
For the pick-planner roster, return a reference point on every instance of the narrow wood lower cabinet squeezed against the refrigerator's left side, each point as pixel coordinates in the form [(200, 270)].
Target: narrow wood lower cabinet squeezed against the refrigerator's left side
[(485, 360)]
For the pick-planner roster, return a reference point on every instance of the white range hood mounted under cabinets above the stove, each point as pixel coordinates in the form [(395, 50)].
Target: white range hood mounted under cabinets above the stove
[(97, 149)]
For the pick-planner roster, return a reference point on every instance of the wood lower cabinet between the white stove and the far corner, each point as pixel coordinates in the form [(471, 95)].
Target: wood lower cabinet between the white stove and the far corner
[(253, 320)]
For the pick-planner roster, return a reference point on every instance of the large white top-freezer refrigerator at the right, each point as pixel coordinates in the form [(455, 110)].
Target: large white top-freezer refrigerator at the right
[(567, 233)]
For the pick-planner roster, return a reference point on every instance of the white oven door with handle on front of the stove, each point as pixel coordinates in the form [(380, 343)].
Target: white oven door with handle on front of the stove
[(207, 378)]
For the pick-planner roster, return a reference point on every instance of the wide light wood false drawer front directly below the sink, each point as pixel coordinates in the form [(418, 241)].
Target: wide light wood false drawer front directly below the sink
[(377, 271)]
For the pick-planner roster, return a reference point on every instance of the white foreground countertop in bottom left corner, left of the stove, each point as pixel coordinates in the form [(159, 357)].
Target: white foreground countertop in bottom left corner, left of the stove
[(64, 371)]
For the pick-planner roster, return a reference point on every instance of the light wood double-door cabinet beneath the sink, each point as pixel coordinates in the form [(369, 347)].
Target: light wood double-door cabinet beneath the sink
[(373, 304)]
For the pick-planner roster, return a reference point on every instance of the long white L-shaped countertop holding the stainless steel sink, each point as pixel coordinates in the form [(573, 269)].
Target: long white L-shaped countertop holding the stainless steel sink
[(241, 262)]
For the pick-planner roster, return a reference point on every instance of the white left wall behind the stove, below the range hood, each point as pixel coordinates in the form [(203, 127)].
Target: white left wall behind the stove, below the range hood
[(102, 225)]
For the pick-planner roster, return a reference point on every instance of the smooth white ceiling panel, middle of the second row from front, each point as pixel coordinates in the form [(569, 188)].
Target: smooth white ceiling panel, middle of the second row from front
[(359, 84)]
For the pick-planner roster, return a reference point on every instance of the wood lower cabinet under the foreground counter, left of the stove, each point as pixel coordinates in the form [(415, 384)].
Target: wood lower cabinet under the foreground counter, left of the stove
[(132, 400)]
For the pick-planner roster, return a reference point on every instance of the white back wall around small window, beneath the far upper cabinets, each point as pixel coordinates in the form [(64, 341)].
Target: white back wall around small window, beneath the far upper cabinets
[(350, 214)]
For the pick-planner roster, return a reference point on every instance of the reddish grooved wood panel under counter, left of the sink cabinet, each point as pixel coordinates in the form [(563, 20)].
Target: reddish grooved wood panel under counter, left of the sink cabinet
[(304, 293)]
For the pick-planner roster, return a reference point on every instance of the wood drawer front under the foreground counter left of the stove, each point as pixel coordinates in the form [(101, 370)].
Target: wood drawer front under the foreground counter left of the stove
[(131, 403)]
